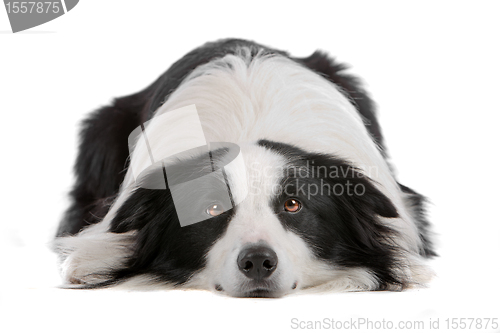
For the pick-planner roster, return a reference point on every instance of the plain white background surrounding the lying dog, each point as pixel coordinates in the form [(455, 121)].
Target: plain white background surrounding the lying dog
[(432, 67)]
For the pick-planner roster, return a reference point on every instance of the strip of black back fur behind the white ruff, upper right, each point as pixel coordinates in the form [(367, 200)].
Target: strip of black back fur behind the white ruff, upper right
[(350, 86)]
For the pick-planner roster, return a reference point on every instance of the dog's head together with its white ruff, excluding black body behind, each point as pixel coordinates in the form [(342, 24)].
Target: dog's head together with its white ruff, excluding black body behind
[(311, 203)]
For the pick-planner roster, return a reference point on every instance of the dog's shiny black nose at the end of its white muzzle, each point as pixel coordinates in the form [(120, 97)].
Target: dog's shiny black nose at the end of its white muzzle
[(257, 261)]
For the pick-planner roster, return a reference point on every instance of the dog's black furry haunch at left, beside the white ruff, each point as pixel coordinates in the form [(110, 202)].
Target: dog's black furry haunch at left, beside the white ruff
[(101, 161)]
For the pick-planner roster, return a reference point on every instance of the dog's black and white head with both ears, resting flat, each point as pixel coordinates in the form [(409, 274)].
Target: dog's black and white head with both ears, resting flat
[(306, 219)]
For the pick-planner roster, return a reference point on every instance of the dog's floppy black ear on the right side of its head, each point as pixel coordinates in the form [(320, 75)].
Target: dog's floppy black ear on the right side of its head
[(364, 237)]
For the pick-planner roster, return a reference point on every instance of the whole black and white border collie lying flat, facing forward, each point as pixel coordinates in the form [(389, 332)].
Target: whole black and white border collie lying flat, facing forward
[(313, 202)]
